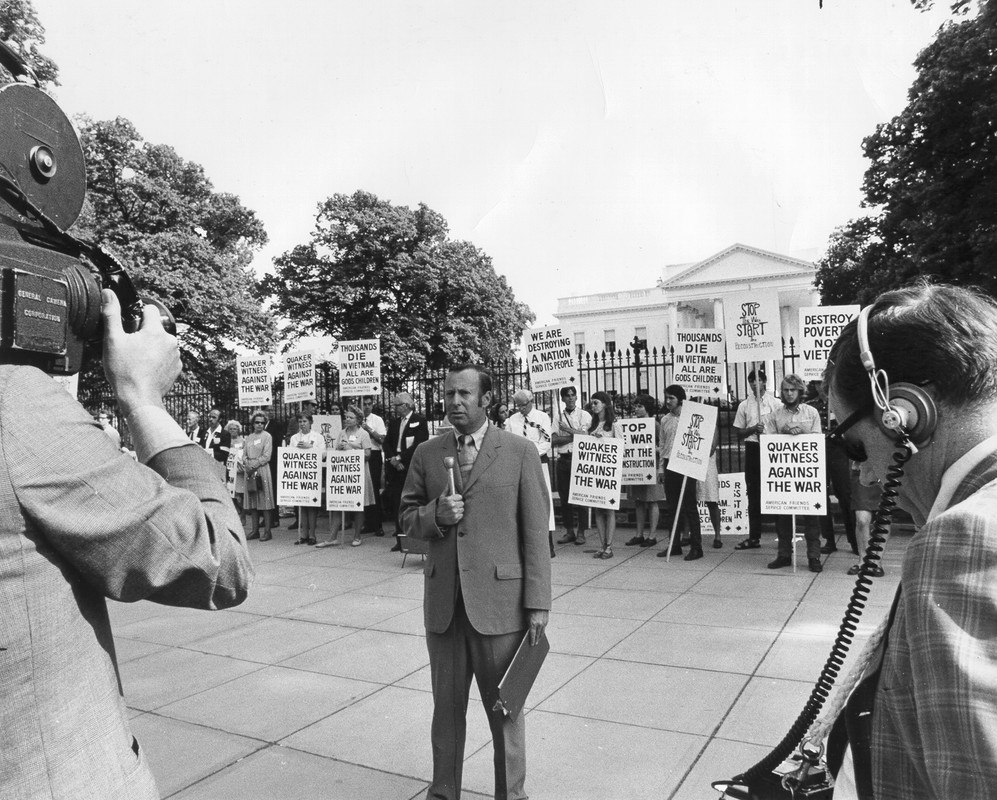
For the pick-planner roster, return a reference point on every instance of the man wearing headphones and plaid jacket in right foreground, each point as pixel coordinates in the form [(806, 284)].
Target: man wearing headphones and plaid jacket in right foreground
[(915, 377)]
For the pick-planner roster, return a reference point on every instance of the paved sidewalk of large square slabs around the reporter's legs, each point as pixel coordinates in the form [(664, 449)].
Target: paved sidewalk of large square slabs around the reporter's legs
[(662, 677)]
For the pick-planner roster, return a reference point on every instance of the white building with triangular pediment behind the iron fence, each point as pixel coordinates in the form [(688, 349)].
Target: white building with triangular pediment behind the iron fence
[(688, 296)]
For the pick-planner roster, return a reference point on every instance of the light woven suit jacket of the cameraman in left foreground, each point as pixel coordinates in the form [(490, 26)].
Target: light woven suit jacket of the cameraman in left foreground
[(79, 522)]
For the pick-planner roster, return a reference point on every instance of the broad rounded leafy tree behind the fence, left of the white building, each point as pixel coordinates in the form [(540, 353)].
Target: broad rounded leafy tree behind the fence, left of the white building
[(371, 268)]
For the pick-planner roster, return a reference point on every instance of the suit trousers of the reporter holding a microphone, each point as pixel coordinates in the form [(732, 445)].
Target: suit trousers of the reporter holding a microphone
[(454, 656)]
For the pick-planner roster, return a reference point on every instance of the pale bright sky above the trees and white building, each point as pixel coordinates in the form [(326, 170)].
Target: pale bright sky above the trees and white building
[(583, 145)]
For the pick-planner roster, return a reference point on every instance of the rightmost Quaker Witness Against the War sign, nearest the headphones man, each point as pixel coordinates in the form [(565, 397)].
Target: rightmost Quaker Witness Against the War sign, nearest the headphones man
[(793, 474)]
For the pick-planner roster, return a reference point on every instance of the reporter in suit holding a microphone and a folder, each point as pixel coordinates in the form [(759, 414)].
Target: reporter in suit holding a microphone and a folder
[(487, 573)]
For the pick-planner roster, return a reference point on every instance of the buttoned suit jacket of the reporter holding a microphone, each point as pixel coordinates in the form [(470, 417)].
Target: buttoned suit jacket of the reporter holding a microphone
[(499, 551)]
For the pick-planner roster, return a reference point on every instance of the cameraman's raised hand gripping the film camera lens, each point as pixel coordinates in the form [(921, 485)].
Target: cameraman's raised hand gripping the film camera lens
[(142, 366)]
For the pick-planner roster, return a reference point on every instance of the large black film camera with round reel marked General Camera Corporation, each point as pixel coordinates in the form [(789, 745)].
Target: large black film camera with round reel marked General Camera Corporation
[(50, 281)]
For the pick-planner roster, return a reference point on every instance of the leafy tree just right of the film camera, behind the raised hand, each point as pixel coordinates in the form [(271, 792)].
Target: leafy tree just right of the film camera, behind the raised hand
[(182, 242)]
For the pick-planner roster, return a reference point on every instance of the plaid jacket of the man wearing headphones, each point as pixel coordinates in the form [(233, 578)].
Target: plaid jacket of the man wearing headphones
[(935, 717)]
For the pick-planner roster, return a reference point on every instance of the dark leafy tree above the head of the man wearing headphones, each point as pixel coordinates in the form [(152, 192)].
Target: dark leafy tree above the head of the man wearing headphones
[(932, 180)]
